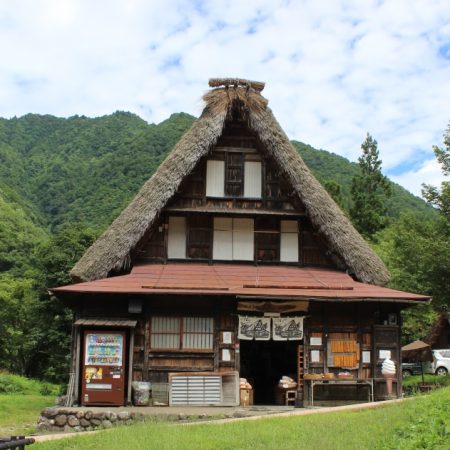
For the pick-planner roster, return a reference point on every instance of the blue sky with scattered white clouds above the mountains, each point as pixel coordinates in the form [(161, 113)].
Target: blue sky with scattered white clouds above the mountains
[(334, 69)]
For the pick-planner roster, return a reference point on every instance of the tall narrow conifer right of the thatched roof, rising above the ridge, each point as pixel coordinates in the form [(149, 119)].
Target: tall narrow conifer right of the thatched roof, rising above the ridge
[(370, 189)]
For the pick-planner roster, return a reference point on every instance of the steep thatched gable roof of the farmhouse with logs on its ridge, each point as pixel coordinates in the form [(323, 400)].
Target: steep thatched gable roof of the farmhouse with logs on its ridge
[(112, 249)]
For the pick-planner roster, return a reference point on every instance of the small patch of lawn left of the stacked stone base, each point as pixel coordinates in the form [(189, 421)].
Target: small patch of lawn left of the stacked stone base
[(19, 413)]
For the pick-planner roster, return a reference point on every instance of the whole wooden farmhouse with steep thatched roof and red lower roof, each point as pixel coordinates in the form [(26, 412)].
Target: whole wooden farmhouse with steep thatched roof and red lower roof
[(233, 261)]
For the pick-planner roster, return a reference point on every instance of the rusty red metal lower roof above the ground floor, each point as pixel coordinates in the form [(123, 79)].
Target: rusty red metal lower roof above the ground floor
[(241, 280)]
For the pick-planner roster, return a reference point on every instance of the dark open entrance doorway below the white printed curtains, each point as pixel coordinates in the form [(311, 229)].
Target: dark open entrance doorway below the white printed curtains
[(263, 363)]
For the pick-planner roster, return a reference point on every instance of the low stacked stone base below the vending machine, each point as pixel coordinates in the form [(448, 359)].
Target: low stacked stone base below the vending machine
[(65, 420)]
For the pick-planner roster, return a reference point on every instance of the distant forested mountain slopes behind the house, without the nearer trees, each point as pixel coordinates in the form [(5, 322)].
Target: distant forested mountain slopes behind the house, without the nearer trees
[(86, 170)]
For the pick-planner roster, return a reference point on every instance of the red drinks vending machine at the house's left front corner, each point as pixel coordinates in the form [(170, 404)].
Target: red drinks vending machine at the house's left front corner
[(103, 372)]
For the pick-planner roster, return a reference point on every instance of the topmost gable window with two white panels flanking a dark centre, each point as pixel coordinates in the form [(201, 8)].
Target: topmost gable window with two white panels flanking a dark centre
[(233, 177)]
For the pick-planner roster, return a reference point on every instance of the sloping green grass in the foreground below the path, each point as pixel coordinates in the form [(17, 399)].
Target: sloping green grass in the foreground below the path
[(420, 423)]
